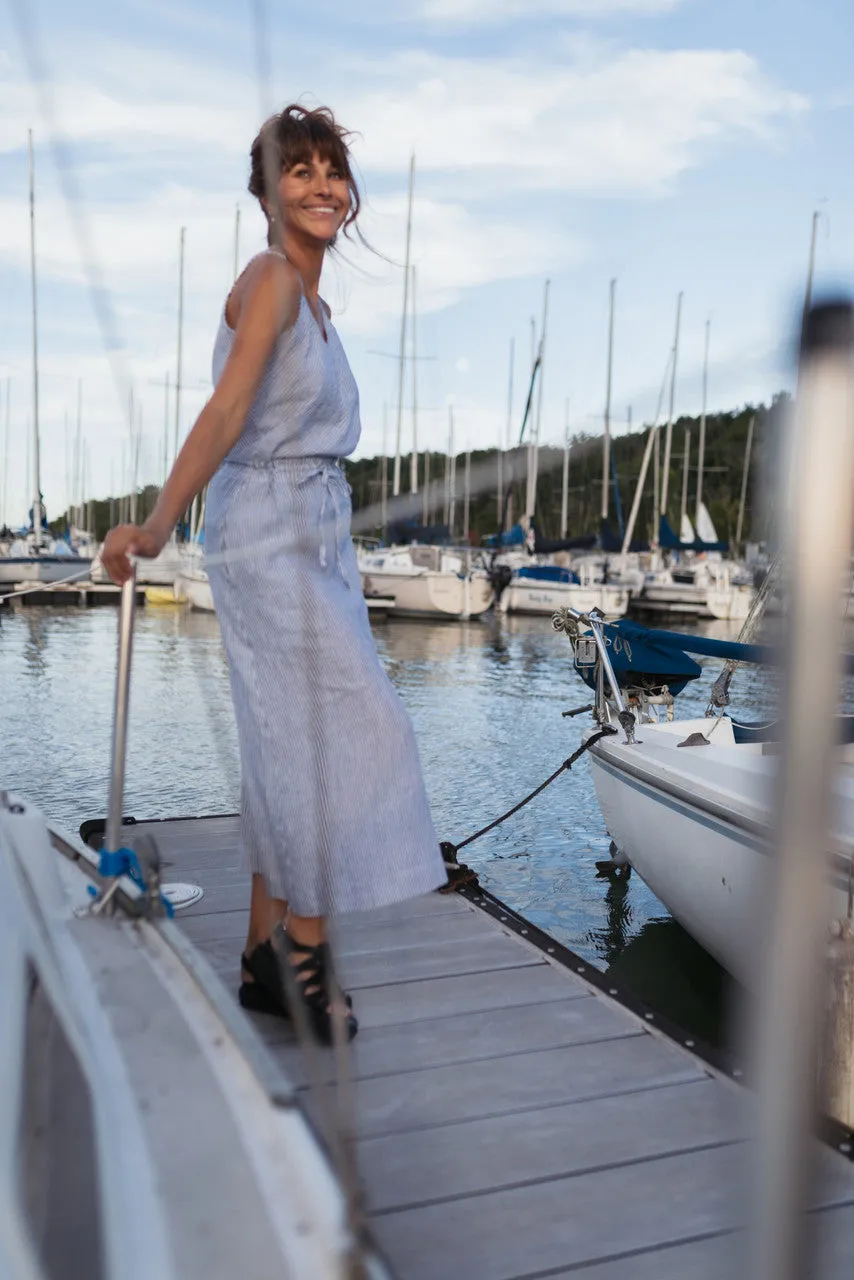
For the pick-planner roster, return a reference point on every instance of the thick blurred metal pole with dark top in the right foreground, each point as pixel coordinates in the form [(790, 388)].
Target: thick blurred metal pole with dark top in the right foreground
[(819, 538)]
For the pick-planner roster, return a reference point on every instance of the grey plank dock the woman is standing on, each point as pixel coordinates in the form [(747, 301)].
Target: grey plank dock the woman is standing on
[(514, 1119)]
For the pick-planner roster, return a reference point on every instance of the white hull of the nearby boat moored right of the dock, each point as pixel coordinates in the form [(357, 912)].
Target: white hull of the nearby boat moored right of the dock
[(697, 826)]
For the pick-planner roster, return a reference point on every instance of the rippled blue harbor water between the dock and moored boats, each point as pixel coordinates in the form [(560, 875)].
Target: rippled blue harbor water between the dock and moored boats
[(486, 698)]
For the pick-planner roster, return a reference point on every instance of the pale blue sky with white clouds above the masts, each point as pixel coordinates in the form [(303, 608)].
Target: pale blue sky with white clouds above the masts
[(672, 145)]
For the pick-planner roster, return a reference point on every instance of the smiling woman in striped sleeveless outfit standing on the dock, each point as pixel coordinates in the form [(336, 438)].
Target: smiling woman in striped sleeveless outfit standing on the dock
[(335, 816)]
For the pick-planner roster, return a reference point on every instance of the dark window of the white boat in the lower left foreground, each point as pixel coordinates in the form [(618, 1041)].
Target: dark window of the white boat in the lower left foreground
[(58, 1165)]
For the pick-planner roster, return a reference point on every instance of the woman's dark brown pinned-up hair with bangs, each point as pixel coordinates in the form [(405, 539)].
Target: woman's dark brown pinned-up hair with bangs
[(294, 136)]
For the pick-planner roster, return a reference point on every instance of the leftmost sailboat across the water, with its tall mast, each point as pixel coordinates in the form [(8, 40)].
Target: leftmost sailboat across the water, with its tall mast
[(35, 555)]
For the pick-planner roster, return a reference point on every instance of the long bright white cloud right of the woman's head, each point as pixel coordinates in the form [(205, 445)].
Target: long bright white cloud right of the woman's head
[(609, 124)]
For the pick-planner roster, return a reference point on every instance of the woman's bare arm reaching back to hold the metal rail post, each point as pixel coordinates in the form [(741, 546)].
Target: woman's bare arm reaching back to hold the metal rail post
[(268, 305)]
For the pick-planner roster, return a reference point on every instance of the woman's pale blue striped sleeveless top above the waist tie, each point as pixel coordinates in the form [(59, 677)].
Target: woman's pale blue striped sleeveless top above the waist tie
[(308, 403)]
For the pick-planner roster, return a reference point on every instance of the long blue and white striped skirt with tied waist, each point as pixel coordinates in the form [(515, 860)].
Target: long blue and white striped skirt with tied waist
[(335, 815)]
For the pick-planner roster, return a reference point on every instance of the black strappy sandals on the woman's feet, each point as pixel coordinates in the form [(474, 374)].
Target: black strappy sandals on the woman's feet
[(268, 994)]
